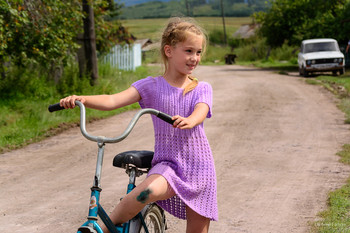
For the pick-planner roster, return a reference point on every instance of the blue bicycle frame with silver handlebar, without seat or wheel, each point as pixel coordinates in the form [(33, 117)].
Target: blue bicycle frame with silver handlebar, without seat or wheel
[(95, 209)]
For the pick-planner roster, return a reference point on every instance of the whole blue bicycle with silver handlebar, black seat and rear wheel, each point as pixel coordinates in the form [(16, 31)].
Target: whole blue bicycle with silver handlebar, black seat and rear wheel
[(152, 217)]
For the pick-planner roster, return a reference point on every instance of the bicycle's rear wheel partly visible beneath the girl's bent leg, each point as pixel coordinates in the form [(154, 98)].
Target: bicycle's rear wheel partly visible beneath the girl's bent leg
[(155, 220)]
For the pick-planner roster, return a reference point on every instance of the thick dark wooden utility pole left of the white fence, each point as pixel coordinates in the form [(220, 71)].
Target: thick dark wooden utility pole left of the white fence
[(89, 38)]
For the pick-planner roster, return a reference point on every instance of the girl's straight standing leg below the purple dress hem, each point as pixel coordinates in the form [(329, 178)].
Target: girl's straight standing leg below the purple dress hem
[(196, 223)]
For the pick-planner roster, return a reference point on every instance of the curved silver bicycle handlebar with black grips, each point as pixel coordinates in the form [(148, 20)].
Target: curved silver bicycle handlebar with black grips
[(101, 139)]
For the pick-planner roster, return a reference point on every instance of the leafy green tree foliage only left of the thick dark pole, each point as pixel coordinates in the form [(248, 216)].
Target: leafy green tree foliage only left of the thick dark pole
[(38, 32)]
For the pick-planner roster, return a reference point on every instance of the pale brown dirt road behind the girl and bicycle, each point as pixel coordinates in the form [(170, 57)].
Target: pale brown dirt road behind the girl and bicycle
[(274, 140)]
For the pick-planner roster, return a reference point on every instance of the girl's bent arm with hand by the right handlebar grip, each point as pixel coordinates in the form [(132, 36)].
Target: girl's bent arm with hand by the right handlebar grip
[(197, 117)]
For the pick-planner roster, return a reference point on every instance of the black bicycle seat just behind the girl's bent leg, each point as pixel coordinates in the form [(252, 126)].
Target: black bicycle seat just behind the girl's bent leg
[(140, 159)]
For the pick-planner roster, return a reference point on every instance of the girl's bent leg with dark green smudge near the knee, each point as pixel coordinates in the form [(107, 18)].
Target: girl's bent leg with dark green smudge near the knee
[(153, 188)]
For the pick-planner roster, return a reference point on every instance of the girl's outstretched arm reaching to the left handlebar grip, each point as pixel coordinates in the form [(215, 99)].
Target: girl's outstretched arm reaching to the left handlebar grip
[(104, 102)]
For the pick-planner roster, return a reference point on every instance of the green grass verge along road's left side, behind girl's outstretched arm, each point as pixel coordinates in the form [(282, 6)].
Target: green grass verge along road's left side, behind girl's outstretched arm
[(25, 119)]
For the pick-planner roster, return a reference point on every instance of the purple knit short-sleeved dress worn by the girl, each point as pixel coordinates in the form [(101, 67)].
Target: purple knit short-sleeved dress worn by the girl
[(182, 156)]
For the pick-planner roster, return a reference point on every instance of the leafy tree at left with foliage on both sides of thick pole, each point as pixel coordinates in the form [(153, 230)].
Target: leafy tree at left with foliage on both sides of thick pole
[(44, 33)]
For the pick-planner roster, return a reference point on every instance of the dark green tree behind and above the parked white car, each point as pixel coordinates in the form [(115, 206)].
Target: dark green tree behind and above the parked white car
[(295, 20)]
